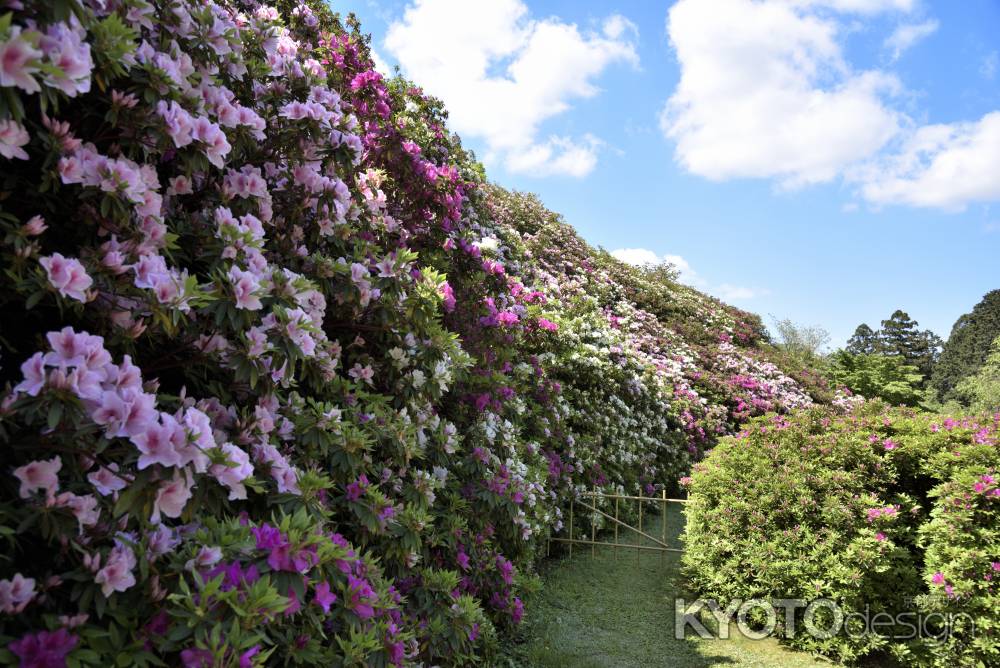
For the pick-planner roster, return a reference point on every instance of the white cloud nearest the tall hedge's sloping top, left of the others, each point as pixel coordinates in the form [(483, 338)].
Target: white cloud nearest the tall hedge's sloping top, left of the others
[(502, 74)]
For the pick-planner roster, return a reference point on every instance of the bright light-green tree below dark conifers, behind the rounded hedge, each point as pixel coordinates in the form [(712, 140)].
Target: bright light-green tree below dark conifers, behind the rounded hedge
[(877, 377)]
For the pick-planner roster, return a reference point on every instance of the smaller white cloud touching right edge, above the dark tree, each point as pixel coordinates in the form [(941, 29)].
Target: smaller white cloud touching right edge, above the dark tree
[(944, 166)]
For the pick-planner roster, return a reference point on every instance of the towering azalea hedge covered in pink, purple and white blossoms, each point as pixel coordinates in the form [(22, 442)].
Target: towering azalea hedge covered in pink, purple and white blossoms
[(284, 381)]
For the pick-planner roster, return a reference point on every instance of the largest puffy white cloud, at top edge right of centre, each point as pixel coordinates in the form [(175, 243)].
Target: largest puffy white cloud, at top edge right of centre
[(765, 91)]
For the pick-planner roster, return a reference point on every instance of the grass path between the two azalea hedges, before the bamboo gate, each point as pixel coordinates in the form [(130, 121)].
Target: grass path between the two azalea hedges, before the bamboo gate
[(601, 612)]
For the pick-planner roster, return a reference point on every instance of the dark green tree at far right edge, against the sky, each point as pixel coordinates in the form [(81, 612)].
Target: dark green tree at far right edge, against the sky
[(968, 345)]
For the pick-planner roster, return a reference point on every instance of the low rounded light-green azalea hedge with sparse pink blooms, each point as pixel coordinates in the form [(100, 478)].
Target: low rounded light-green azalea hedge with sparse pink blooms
[(892, 514)]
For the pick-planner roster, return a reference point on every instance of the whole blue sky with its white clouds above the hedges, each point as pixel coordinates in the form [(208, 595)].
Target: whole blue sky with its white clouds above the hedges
[(827, 161)]
